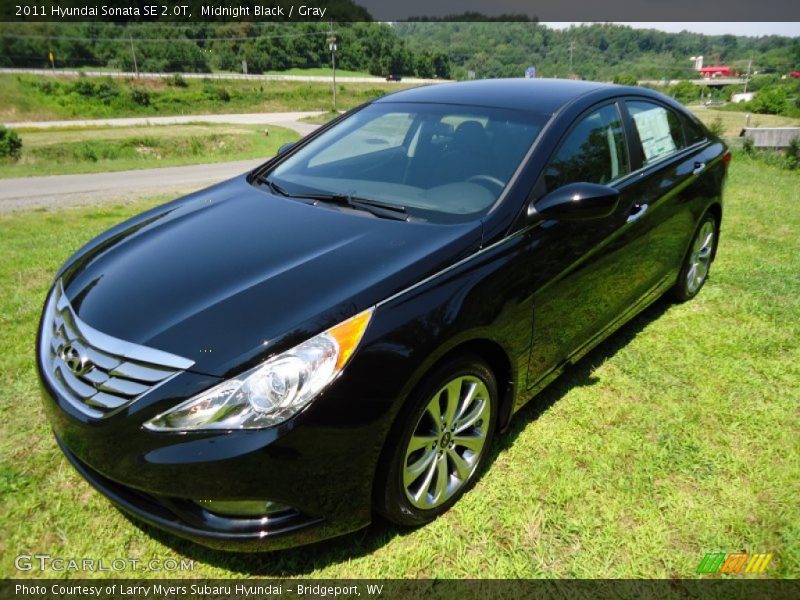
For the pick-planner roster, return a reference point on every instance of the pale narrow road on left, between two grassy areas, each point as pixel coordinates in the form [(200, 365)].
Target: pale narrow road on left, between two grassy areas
[(290, 120)]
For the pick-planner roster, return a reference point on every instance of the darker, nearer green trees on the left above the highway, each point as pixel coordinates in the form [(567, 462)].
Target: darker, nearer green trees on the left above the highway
[(375, 48)]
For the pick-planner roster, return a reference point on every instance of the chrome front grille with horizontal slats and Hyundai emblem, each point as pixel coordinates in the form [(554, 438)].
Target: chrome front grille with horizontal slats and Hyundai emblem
[(97, 373)]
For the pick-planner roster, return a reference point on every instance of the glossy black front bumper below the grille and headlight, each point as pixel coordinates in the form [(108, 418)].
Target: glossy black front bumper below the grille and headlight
[(321, 463)]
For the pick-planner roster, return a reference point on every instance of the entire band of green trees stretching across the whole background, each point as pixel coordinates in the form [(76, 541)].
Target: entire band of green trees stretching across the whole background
[(425, 49)]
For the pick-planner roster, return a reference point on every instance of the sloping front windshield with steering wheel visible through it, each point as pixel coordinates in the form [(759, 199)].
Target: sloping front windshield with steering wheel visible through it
[(437, 162)]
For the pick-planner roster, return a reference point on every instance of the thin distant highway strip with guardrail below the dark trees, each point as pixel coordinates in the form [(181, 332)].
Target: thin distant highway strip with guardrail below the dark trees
[(271, 77)]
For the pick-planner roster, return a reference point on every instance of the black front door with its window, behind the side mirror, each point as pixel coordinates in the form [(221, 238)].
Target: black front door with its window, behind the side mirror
[(587, 274)]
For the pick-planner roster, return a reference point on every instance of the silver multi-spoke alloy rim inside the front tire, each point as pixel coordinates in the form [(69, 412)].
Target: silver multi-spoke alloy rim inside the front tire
[(447, 443)]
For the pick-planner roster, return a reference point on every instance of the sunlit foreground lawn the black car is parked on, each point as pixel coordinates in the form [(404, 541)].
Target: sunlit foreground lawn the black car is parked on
[(676, 437)]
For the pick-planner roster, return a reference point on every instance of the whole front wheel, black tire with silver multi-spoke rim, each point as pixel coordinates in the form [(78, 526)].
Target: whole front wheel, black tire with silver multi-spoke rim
[(427, 465)]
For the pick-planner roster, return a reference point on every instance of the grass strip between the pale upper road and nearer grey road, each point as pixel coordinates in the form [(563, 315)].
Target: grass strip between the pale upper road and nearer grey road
[(103, 149)]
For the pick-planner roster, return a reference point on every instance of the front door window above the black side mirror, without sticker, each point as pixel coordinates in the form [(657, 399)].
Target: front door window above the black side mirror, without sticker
[(594, 151)]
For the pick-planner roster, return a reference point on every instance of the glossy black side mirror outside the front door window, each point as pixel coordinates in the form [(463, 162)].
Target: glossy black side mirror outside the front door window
[(576, 202)]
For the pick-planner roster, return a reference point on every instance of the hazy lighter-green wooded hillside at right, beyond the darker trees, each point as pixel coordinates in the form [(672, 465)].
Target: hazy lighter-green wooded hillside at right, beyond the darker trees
[(599, 51)]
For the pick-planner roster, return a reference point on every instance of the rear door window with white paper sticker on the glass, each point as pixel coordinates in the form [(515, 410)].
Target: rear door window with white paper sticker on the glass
[(660, 131)]
